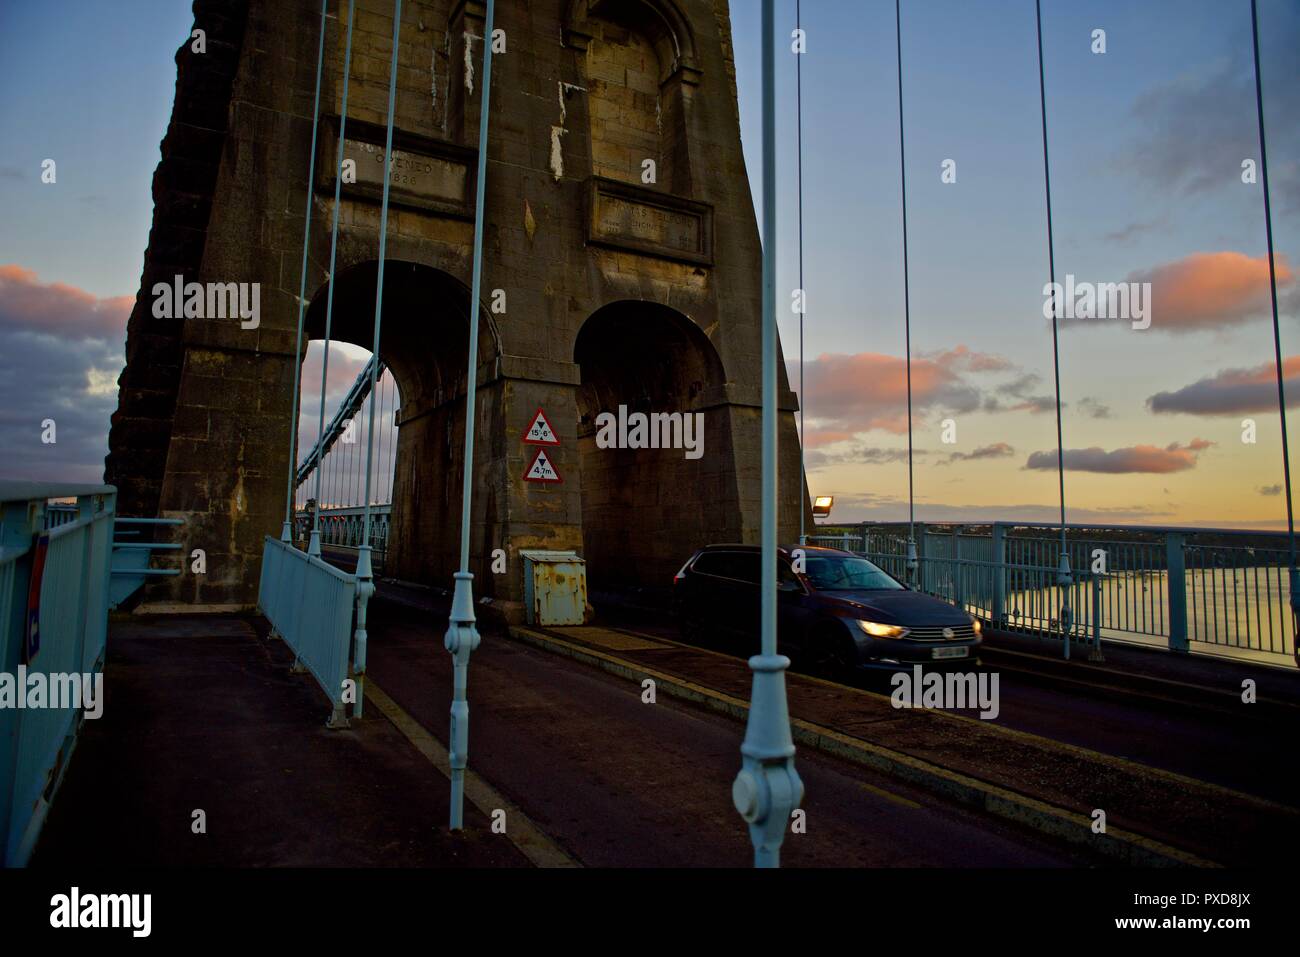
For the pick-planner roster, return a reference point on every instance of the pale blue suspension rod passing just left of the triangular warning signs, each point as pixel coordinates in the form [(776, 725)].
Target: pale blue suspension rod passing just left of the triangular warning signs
[(462, 636)]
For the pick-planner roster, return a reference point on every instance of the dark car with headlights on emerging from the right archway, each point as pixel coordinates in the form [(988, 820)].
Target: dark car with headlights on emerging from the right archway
[(840, 610)]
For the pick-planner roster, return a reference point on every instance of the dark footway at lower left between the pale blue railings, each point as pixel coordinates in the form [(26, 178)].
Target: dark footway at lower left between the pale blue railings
[(202, 713)]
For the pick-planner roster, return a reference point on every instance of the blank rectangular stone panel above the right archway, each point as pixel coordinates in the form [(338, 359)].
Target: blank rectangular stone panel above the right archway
[(647, 222)]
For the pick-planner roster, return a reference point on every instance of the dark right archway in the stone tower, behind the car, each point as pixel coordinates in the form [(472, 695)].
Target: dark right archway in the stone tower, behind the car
[(645, 506)]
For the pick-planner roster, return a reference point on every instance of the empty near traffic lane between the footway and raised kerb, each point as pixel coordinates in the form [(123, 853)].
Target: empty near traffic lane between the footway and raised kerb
[(618, 782)]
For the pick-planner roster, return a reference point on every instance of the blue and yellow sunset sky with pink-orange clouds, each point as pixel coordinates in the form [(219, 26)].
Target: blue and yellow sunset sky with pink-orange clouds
[(1147, 146)]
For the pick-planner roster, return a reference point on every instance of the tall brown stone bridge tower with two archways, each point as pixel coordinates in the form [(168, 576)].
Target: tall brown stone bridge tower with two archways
[(622, 288)]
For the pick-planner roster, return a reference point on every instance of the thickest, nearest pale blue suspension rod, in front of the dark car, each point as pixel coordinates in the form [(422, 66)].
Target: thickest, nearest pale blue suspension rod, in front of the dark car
[(769, 789)]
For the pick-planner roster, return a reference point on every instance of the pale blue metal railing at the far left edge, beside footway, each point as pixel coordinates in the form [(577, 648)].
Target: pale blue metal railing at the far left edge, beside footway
[(54, 625)]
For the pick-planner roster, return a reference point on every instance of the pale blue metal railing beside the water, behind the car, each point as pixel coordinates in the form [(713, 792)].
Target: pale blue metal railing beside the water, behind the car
[(1189, 590)]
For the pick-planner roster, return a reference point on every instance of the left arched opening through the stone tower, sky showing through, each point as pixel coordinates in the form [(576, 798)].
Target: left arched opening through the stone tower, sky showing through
[(424, 347)]
